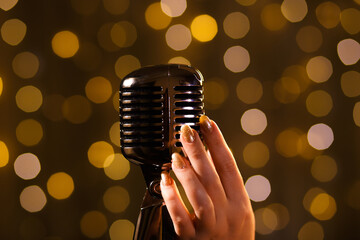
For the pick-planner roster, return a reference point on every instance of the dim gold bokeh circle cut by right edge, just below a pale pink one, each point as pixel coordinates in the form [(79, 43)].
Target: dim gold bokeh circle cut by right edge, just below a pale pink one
[(350, 83)]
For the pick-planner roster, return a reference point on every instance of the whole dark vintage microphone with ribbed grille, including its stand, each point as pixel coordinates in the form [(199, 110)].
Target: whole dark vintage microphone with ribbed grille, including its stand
[(155, 102)]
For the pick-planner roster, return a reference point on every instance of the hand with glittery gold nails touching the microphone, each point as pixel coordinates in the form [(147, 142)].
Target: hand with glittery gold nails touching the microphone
[(213, 185)]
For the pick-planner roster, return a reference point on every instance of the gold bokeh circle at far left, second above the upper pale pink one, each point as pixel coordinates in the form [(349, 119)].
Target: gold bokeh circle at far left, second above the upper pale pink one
[(29, 99)]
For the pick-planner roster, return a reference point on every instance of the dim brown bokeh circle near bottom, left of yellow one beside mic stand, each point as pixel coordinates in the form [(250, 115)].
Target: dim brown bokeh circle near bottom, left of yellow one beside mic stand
[(116, 199)]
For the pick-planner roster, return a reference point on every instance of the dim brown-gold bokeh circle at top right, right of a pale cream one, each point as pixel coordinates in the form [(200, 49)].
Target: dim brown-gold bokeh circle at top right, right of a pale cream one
[(328, 14)]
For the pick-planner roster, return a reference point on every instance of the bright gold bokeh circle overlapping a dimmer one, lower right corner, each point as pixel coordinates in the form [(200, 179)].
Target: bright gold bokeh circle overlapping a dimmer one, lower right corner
[(323, 207)]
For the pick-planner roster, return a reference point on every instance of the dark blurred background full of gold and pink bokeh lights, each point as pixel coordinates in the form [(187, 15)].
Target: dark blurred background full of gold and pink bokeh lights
[(282, 80)]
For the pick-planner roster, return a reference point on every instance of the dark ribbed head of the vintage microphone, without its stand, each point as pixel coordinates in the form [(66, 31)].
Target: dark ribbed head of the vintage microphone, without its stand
[(154, 102)]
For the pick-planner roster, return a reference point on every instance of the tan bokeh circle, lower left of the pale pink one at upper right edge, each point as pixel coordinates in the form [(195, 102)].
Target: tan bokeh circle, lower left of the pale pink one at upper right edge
[(319, 69)]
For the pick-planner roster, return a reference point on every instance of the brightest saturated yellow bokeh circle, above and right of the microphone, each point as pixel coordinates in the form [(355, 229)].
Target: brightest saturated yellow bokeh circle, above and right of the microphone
[(204, 28)]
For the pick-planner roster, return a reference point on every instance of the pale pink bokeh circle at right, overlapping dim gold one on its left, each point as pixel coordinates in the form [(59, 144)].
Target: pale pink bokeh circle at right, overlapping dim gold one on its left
[(320, 136)]
